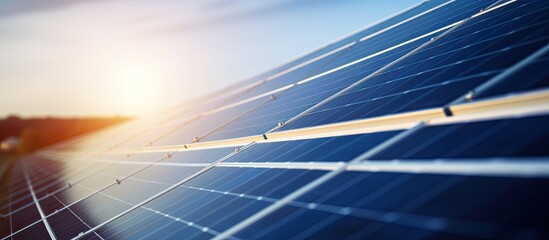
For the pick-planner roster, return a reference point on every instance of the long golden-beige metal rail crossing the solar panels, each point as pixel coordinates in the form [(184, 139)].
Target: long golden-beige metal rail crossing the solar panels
[(523, 104)]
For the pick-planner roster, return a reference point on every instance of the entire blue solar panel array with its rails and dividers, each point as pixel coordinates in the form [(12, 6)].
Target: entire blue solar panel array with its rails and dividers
[(432, 123)]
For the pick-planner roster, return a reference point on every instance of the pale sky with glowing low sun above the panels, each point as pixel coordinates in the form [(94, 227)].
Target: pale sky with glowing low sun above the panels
[(137, 57)]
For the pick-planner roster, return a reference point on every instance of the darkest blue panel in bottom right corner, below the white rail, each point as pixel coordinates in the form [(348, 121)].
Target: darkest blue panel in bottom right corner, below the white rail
[(358, 205)]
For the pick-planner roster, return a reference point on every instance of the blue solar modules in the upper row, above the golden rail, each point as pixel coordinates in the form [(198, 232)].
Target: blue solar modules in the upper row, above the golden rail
[(431, 77)]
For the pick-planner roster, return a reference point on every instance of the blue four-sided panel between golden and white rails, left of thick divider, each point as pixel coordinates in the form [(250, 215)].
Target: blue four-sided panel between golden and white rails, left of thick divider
[(333, 149)]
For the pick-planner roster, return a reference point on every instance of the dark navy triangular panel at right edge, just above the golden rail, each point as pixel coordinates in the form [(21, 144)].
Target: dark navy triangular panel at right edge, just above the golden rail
[(531, 77)]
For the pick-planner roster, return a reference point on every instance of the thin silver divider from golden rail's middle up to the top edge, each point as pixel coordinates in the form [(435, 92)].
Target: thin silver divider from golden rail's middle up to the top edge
[(384, 68)]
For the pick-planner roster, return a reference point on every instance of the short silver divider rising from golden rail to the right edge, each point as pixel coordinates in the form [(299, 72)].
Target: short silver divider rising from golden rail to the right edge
[(501, 76)]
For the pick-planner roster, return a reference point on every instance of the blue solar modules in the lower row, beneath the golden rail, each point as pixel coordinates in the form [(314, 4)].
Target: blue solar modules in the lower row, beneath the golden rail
[(359, 204)]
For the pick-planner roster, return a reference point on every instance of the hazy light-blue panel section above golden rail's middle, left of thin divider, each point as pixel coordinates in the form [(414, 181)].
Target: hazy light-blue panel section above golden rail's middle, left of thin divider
[(296, 100)]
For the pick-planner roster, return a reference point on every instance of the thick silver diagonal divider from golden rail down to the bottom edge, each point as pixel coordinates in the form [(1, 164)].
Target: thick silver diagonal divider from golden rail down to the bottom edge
[(317, 182)]
